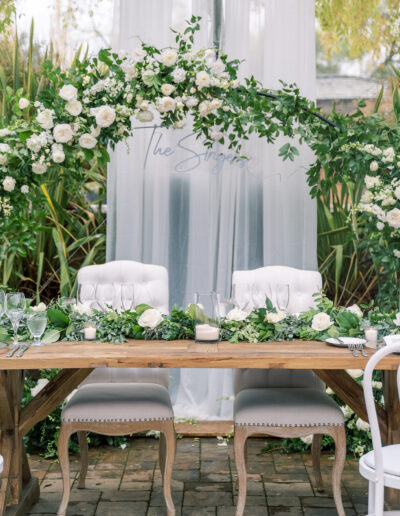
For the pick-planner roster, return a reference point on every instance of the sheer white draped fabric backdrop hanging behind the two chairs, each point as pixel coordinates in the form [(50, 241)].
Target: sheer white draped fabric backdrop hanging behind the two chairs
[(172, 202)]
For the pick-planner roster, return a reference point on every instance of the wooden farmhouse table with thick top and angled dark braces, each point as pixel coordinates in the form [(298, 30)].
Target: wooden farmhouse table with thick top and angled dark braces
[(77, 359)]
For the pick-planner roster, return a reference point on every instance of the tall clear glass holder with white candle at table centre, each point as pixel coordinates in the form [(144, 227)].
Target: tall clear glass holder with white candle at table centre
[(207, 318)]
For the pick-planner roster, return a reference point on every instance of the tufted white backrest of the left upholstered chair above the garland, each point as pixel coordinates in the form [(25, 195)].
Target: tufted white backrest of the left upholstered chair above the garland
[(150, 281)]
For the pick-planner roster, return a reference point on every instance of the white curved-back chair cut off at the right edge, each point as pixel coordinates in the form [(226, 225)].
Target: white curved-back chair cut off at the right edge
[(381, 466)]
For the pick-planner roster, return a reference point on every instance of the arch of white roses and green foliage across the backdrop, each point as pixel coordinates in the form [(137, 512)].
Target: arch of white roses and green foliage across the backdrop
[(90, 107)]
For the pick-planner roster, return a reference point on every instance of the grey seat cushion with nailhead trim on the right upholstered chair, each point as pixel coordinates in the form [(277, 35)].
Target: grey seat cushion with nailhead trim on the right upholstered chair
[(286, 407)]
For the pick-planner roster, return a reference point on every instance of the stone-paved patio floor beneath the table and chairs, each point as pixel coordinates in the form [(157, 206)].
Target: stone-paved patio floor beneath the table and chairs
[(122, 482)]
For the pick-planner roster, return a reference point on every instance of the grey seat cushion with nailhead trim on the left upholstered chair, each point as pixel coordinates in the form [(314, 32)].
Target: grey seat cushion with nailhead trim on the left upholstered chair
[(119, 402)]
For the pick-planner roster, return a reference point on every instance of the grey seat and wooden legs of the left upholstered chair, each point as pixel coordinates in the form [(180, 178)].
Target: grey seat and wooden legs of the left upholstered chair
[(118, 409)]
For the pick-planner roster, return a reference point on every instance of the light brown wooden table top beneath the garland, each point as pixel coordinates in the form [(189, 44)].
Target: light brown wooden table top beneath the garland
[(183, 354)]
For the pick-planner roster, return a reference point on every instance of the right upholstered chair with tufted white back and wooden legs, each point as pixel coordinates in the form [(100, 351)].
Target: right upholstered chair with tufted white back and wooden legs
[(299, 393)]
